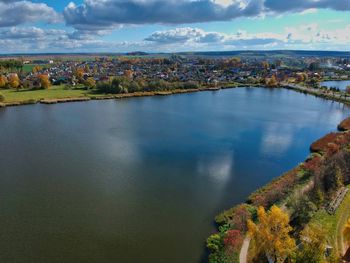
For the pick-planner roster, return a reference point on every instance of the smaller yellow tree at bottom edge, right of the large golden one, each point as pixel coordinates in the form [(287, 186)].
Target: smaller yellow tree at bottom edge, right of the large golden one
[(313, 246)]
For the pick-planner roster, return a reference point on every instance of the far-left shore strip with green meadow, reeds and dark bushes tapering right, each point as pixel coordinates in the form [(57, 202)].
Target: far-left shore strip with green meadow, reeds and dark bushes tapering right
[(14, 93)]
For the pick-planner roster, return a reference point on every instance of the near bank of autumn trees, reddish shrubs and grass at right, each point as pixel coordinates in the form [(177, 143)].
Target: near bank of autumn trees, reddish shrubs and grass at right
[(292, 219)]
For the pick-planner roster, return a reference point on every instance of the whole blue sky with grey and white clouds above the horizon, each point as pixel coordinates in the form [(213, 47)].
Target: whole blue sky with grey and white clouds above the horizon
[(41, 26)]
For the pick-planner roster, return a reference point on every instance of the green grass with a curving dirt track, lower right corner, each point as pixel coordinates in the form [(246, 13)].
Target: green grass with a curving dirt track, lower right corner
[(333, 224)]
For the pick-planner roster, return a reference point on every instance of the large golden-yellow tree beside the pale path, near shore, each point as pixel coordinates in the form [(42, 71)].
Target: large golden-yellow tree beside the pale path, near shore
[(271, 234)]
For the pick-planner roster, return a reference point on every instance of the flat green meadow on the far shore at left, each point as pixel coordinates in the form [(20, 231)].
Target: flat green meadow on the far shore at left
[(54, 92)]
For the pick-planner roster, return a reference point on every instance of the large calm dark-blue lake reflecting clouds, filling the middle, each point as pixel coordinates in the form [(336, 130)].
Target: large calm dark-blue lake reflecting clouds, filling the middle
[(140, 180)]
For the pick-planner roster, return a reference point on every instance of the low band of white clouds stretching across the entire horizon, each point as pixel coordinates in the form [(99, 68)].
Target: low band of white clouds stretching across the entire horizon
[(33, 39)]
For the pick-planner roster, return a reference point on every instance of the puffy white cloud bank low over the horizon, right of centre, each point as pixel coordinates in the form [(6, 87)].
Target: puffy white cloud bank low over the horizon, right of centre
[(302, 36)]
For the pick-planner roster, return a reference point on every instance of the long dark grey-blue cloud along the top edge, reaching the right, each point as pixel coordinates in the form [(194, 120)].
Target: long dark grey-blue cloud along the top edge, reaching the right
[(107, 14)]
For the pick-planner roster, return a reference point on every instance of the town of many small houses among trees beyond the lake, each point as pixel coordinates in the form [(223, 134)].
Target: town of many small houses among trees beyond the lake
[(178, 68)]
